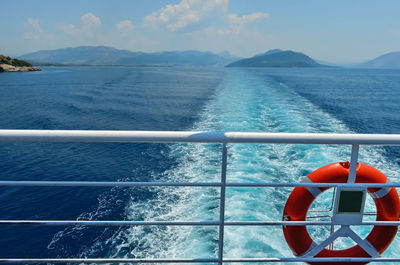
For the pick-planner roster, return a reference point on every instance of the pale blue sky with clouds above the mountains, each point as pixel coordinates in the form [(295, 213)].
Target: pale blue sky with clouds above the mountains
[(333, 31)]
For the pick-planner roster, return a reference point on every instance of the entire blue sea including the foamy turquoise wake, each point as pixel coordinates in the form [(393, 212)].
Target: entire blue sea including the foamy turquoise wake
[(307, 100)]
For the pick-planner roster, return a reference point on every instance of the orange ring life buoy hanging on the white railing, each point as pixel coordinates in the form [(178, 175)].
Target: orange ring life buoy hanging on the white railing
[(386, 200)]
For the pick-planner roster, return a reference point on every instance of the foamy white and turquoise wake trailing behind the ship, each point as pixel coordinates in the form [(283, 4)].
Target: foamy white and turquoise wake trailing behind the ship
[(243, 102)]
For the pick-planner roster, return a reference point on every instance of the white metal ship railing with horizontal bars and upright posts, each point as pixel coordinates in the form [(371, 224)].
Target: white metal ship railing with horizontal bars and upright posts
[(198, 137)]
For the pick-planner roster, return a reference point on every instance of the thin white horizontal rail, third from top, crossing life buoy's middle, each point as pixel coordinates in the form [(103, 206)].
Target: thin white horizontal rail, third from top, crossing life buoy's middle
[(186, 223)]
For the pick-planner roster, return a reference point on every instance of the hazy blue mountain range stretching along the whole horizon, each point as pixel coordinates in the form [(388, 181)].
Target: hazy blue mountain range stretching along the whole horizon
[(102, 55)]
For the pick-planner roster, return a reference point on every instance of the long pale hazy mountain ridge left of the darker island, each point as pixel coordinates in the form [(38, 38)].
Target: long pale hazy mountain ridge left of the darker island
[(101, 55)]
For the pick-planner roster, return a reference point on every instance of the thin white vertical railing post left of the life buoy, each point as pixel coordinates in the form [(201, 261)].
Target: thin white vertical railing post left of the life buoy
[(222, 205)]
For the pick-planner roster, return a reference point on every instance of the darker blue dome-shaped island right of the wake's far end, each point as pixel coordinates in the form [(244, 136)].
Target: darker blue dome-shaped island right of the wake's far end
[(277, 58)]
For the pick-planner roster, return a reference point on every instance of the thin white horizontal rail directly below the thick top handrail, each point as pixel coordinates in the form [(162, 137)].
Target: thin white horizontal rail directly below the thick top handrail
[(18, 183)]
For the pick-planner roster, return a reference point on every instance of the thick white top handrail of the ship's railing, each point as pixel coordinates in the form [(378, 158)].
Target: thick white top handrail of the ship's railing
[(198, 137)]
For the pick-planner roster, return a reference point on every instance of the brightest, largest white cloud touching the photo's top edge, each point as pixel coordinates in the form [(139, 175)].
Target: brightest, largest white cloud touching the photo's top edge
[(186, 13)]
